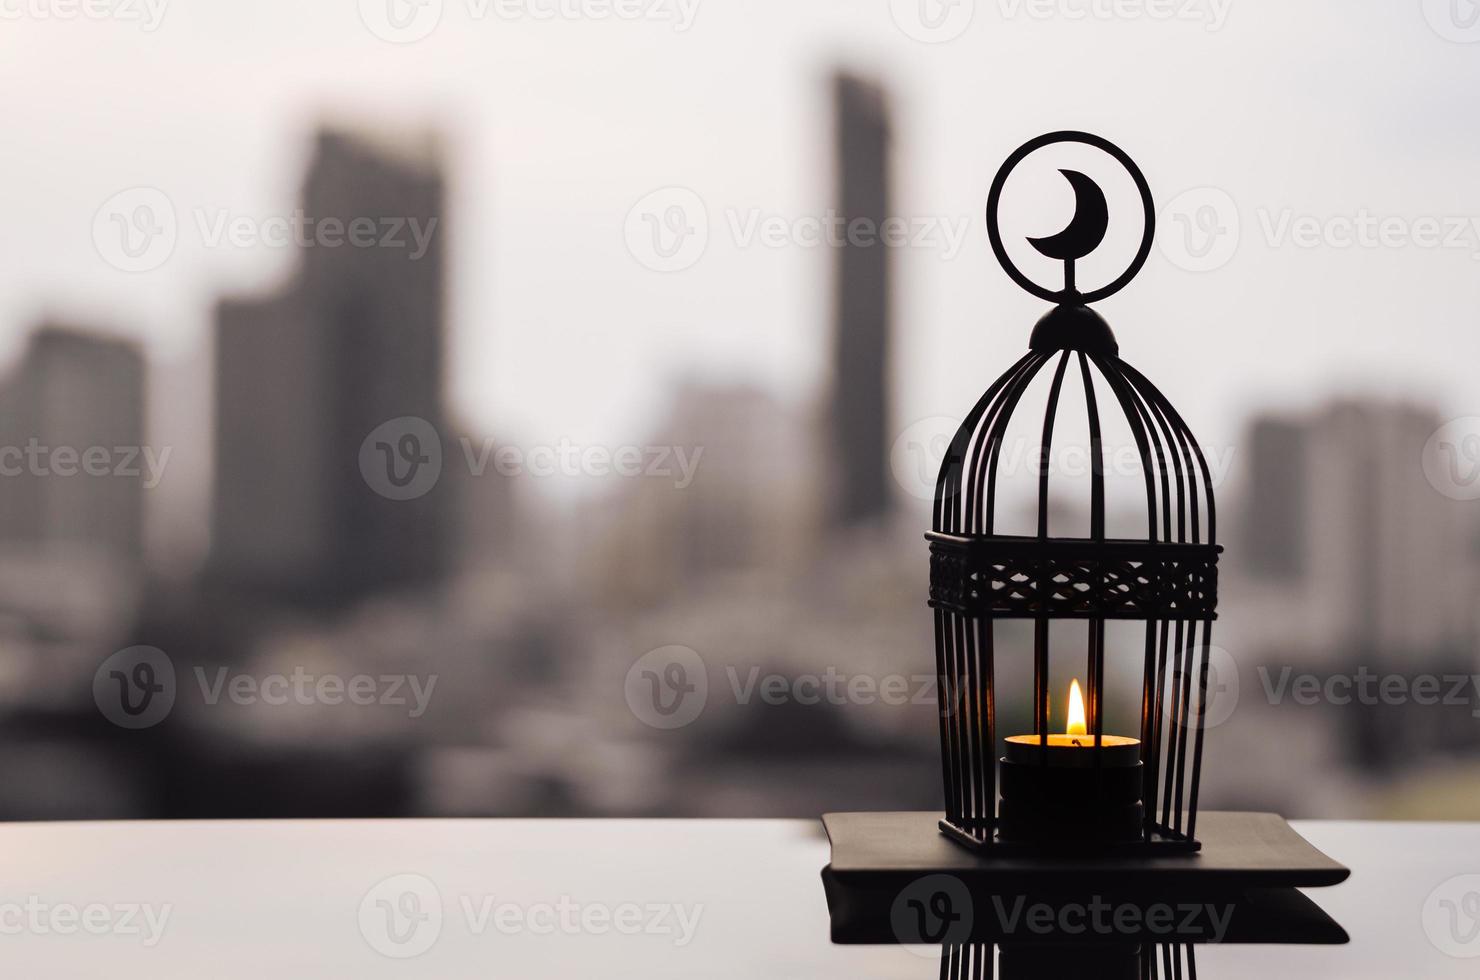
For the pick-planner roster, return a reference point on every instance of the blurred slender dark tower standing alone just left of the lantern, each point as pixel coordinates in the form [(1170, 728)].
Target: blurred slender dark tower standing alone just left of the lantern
[(862, 282)]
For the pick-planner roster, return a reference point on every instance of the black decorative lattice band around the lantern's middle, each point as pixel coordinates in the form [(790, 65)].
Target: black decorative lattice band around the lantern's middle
[(1072, 578)]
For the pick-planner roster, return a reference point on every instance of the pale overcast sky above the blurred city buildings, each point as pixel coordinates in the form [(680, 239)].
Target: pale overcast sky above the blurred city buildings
[(1308, 119)]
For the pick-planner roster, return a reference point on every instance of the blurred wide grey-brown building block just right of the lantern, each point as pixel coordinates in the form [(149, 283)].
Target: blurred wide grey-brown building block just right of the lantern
[(1356, 556)]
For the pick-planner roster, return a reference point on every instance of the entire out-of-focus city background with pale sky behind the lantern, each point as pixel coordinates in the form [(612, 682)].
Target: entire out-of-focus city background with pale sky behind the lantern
[(682, 297)]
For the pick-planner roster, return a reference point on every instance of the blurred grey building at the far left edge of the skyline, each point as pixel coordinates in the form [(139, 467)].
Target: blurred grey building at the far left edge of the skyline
[(73, 469)]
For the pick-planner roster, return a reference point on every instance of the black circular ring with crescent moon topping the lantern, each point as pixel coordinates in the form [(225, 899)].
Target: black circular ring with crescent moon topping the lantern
[(1087, 229)]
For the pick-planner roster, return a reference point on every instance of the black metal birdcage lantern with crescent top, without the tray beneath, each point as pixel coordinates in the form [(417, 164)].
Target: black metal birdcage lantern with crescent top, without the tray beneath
[(1081, 788)]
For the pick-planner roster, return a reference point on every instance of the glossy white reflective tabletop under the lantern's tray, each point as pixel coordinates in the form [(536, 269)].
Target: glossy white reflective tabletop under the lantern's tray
[(582, 899)]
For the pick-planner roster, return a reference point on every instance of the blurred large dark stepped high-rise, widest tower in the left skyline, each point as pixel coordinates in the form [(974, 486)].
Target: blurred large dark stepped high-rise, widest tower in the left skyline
[(306, 377)]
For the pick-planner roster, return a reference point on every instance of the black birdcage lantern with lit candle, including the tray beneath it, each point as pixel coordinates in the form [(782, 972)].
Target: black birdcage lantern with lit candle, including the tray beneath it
[(1078, 812)]
